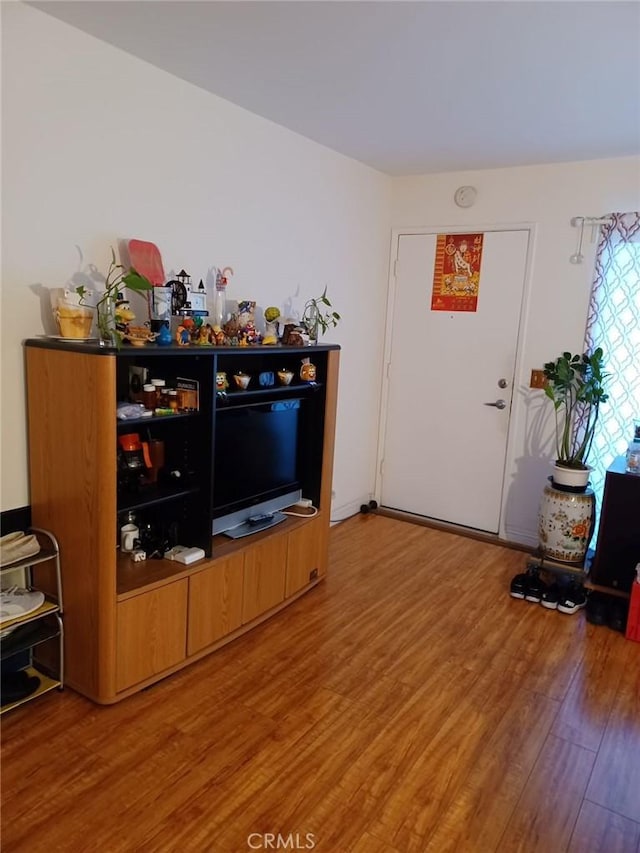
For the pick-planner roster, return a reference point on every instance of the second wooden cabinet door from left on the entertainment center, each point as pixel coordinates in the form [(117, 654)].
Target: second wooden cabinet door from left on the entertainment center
[(215, 602)]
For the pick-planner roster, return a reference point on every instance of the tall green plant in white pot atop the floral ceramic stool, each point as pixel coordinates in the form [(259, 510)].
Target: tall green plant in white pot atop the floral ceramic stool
[(575, 386)]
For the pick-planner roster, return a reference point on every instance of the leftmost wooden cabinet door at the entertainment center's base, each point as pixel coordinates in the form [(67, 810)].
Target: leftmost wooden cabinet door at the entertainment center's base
[(151, 633)]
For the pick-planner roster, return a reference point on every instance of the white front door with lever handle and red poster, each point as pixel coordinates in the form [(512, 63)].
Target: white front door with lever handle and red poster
[(450, 383)]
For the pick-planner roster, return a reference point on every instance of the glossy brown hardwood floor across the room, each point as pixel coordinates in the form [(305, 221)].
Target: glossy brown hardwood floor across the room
[(406, 704)]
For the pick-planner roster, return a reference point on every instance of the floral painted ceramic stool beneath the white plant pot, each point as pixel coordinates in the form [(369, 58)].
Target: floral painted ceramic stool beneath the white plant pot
[(565, 524)]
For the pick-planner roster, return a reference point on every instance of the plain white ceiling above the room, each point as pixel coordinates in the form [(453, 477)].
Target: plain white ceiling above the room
[(406, 87)]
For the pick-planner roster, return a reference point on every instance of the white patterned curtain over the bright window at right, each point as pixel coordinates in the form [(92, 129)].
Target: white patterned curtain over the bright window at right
[(613, 323)]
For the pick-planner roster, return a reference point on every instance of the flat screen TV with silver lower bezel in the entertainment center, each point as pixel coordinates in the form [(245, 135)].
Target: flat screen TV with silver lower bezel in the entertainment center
[(256, 461)]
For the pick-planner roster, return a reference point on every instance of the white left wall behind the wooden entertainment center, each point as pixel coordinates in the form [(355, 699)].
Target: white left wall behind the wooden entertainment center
[(100, 147)]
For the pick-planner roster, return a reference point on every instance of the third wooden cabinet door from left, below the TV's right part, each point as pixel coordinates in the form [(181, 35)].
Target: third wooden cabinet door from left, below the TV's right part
[(265, 566)]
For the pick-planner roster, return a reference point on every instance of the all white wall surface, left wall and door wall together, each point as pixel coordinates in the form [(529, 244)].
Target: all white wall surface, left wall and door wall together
[(100, 147)]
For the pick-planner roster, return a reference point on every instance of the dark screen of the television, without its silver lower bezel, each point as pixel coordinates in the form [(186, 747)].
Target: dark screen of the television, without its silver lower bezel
[(256, 454)]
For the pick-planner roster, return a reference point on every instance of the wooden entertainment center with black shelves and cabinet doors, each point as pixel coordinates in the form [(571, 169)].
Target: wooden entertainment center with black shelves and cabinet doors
[(128, 624)]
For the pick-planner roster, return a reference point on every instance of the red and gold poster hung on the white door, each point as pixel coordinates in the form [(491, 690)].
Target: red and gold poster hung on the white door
[(456, 276)]
